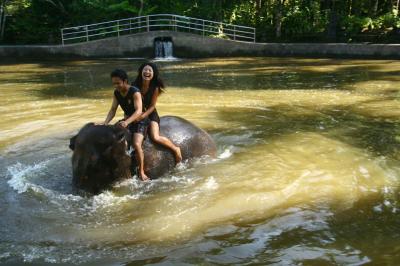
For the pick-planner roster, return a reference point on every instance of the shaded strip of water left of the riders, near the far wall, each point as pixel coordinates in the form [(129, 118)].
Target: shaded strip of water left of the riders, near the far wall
[(81, 79)]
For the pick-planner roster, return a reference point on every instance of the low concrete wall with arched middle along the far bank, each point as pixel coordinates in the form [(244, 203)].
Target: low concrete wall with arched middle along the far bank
[(188, 45)]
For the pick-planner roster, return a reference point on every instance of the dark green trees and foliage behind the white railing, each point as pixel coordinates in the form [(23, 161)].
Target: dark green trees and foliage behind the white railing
[(40, 21)]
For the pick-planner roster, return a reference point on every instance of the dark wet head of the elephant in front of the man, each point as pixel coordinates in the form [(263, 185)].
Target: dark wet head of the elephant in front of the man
[(99, 157)]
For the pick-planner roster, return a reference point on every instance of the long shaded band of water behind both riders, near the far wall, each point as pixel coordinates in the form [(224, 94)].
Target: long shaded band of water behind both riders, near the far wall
[(82, 78)]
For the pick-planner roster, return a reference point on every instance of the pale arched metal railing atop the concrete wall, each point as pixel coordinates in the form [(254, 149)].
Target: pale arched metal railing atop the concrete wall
[(116, 28)]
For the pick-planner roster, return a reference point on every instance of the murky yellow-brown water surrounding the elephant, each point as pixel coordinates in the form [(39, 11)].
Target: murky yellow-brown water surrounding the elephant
[(307, 171)]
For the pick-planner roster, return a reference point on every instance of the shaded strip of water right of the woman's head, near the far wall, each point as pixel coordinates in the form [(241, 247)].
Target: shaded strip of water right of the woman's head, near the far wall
[(287, 74)]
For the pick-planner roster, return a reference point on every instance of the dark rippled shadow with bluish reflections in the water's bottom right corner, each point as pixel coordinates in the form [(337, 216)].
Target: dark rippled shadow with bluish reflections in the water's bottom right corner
[(345, 237)]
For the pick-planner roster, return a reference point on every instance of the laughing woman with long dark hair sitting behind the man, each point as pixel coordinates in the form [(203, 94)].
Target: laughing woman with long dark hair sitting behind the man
[(151, 86)]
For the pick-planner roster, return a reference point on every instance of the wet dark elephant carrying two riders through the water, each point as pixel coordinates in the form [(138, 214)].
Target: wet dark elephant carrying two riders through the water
[(100, 152)]
